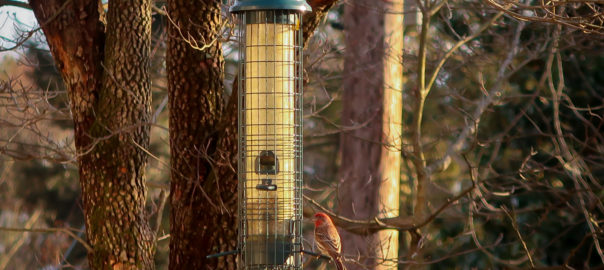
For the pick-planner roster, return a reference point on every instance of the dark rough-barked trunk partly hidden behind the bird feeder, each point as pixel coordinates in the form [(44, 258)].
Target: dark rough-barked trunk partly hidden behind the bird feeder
[(203, 136)]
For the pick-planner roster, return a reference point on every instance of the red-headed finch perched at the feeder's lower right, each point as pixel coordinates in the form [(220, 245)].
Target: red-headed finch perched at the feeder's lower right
[(328, 239)]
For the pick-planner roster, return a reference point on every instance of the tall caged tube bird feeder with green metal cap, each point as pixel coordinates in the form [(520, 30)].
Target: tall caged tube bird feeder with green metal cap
[(270, 132)]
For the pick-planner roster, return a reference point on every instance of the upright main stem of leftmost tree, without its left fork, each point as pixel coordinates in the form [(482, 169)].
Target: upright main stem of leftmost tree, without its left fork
[(114, 195)]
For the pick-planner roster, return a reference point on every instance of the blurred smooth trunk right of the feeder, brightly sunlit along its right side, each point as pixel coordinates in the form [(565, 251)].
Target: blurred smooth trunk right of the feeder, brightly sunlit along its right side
[(371, 153)]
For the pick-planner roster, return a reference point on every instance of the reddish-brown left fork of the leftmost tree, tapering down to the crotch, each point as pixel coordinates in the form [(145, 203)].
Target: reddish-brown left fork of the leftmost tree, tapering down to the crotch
[(77, 45)]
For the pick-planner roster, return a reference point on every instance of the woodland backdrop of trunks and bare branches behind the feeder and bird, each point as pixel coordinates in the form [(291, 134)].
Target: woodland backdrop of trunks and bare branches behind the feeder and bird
[(498, 155)]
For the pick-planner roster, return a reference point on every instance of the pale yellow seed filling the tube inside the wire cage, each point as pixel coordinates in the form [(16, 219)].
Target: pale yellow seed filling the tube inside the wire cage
[(269, 128)]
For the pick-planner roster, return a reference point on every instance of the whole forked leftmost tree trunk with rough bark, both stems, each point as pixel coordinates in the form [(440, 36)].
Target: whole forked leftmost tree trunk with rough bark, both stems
[(108, 83)]
